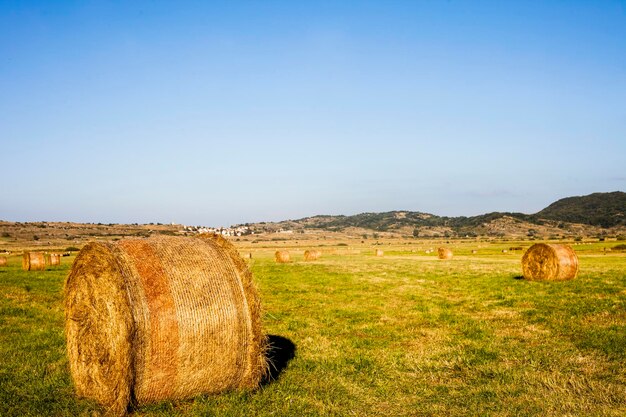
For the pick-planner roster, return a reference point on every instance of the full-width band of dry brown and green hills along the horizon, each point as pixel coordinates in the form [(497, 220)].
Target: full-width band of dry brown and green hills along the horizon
[(598, 215)]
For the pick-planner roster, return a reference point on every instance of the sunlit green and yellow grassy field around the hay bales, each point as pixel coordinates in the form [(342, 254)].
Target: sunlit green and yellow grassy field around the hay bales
[(401, 335)]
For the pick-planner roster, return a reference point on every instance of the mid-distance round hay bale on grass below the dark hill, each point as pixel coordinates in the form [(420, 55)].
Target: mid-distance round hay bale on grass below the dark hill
[(544, 261)]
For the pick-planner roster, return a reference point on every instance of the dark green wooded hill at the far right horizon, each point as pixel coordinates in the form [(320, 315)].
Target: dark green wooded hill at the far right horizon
[(597, 209)]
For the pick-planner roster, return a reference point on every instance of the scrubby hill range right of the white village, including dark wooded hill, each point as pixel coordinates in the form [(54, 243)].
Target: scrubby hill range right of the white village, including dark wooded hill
[(600, 210)]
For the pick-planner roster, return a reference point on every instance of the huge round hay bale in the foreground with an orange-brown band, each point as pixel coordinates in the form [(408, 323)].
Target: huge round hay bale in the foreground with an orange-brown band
[(163, 318)]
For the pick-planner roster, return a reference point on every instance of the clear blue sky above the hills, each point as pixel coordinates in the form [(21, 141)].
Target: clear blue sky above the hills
[(217, 113)]
